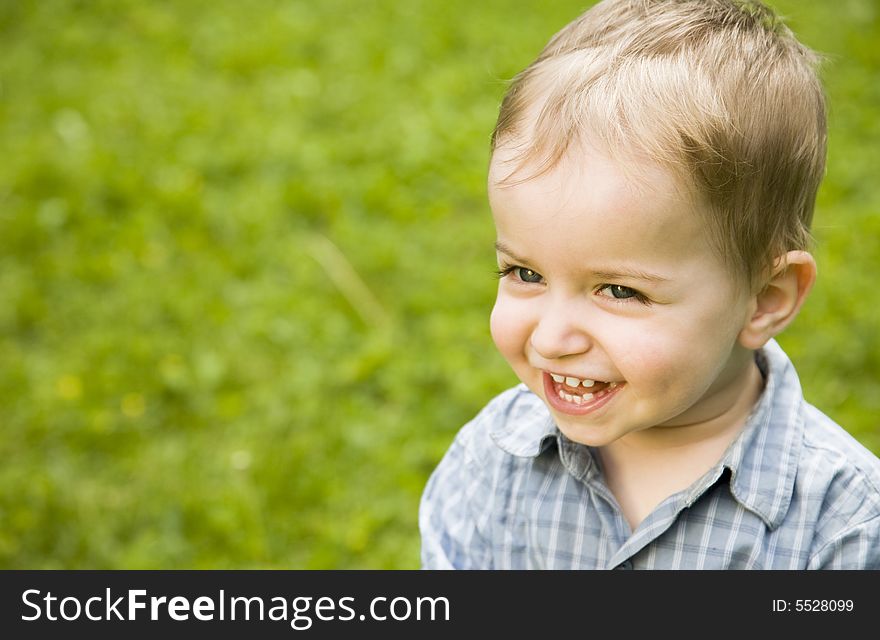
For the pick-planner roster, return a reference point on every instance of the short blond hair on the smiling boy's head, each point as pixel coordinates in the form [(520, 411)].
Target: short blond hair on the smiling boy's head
[(719, 90)]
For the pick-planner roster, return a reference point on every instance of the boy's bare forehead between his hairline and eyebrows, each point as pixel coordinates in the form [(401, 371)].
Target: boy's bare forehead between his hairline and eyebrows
[(599, 209)]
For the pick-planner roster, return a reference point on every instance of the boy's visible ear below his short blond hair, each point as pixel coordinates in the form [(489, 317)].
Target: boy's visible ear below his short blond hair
[(777, 304)]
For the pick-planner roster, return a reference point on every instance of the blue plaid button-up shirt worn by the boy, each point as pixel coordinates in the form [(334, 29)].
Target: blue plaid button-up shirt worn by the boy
[(792, 491)]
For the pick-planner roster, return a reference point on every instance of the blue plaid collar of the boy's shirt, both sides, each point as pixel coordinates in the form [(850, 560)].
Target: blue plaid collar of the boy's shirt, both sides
[(762, 460)]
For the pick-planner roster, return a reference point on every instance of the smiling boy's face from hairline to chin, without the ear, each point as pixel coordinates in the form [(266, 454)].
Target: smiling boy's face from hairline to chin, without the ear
[(614, 308)]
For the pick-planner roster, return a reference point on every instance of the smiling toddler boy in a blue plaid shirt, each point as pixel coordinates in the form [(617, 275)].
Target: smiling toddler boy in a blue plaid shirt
[(652, 183)]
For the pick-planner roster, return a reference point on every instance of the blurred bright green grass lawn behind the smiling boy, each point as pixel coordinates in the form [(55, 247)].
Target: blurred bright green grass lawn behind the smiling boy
[(246, 268)]
